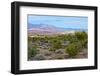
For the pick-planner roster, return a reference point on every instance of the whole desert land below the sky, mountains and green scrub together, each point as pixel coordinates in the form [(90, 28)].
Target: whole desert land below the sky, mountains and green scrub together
[(47, 42)]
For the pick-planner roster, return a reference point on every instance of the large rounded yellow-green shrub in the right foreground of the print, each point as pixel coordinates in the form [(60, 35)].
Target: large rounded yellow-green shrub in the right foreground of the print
[(72, 49)]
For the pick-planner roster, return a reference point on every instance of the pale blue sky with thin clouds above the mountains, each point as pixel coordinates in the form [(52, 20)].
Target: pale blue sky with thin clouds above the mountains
[(60, 21)]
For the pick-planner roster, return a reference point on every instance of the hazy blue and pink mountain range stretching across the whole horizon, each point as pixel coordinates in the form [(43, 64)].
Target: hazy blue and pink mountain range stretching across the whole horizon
[(48, 29)]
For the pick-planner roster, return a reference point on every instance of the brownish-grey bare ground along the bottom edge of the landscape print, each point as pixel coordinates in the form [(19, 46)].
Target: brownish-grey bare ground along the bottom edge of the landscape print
[(44, 54)]
